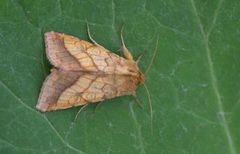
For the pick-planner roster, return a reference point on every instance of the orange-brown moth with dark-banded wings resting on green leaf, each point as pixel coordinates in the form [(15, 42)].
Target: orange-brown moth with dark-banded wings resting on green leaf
[(85, 73)]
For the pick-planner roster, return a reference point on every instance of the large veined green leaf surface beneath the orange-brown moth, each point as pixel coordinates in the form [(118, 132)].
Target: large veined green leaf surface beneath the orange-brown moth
[(193, 82)]
